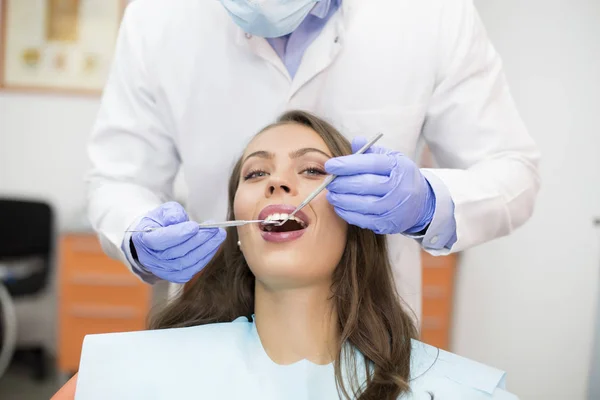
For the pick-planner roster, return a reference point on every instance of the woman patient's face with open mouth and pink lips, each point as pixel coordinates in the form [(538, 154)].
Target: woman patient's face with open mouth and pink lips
[(280, 168)]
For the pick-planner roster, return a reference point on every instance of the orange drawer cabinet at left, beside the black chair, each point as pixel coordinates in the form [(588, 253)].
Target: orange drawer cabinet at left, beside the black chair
[(96, 295)]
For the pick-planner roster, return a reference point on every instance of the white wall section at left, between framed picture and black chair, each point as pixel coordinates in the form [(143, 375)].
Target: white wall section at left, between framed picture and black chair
[(42, 149)]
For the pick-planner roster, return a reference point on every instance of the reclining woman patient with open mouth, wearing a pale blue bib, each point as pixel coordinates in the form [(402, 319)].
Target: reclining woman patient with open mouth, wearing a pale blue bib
[(314, 308)]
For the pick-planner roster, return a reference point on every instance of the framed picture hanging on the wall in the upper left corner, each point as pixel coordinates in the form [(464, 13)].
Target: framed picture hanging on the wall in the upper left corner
[(58, 45)]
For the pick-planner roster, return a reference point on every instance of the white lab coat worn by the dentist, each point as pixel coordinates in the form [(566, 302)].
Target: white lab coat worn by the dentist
[(189, 88)]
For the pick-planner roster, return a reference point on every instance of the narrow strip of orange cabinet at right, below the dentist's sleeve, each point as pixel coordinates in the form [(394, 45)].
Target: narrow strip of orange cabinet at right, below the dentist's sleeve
[(438, 296)]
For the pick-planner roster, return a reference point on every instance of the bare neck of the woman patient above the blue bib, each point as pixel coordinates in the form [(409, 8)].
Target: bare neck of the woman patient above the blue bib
[(296, 324)]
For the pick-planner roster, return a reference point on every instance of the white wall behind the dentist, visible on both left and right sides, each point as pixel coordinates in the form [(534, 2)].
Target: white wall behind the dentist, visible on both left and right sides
[(525, 303)]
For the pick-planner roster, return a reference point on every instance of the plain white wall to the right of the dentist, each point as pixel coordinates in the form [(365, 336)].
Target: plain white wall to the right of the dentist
[(526, 303)]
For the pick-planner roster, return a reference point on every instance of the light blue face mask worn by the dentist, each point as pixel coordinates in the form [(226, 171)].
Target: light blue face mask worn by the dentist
[(268, 18)]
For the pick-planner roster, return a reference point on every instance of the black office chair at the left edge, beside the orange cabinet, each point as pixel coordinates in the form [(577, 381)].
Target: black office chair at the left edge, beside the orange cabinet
[(26, 255)]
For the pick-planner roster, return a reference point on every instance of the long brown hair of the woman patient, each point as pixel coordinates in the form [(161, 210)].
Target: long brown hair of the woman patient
[(370, 315)]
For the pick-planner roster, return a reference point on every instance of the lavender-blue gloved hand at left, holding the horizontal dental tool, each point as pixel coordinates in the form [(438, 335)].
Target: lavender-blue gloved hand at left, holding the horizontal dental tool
[(180, 249)]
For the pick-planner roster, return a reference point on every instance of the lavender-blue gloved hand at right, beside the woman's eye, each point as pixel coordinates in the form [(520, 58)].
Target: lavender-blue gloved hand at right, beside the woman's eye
[(381, 190)]
